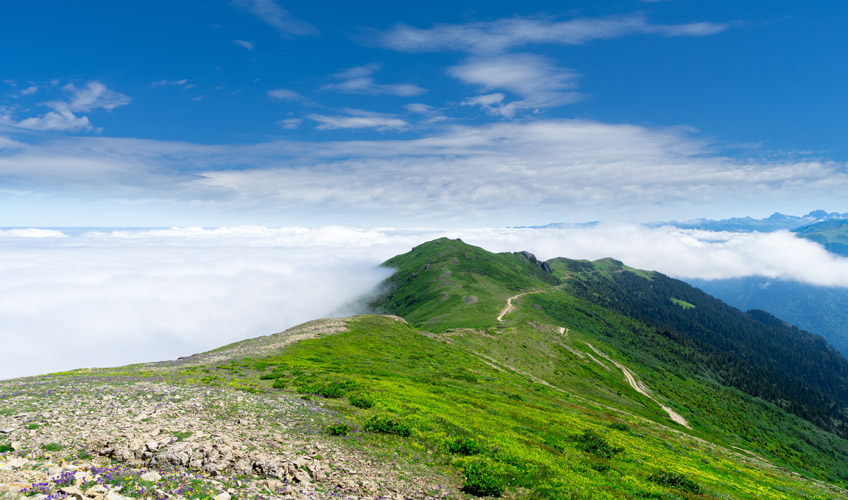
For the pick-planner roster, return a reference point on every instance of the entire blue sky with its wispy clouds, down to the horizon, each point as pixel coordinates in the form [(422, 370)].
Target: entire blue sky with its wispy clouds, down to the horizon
[(454, 113)]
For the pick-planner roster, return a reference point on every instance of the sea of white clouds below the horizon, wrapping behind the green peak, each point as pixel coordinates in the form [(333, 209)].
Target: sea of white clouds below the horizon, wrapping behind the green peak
[(85, 298)]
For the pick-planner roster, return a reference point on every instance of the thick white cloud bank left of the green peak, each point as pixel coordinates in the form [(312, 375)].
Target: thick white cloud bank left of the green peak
[(105, 300)]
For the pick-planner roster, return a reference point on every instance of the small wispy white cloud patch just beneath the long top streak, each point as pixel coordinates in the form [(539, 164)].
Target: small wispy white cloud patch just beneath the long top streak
[(538, 82)]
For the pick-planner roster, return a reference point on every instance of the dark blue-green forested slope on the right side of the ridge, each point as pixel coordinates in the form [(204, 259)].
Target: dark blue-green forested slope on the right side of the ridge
[(753, 352)]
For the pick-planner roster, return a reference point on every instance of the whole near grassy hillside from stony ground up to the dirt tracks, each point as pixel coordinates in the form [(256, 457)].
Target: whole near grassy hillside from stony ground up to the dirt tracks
[(501, 430)]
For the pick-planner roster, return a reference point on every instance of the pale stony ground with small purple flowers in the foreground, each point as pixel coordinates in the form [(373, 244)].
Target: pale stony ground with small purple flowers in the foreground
[(108, 438)]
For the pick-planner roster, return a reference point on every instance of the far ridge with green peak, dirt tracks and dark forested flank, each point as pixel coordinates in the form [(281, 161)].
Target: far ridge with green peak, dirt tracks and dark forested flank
[(708, 362)]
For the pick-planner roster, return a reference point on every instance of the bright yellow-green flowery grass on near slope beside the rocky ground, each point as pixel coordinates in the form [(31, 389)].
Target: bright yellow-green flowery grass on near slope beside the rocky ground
[(545, 444)]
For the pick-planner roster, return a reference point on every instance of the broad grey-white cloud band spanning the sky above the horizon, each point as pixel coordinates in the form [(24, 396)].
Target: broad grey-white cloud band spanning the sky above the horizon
[(504, 173)]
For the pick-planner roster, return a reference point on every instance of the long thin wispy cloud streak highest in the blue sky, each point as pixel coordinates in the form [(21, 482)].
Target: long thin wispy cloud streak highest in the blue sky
[(505, 34)]
